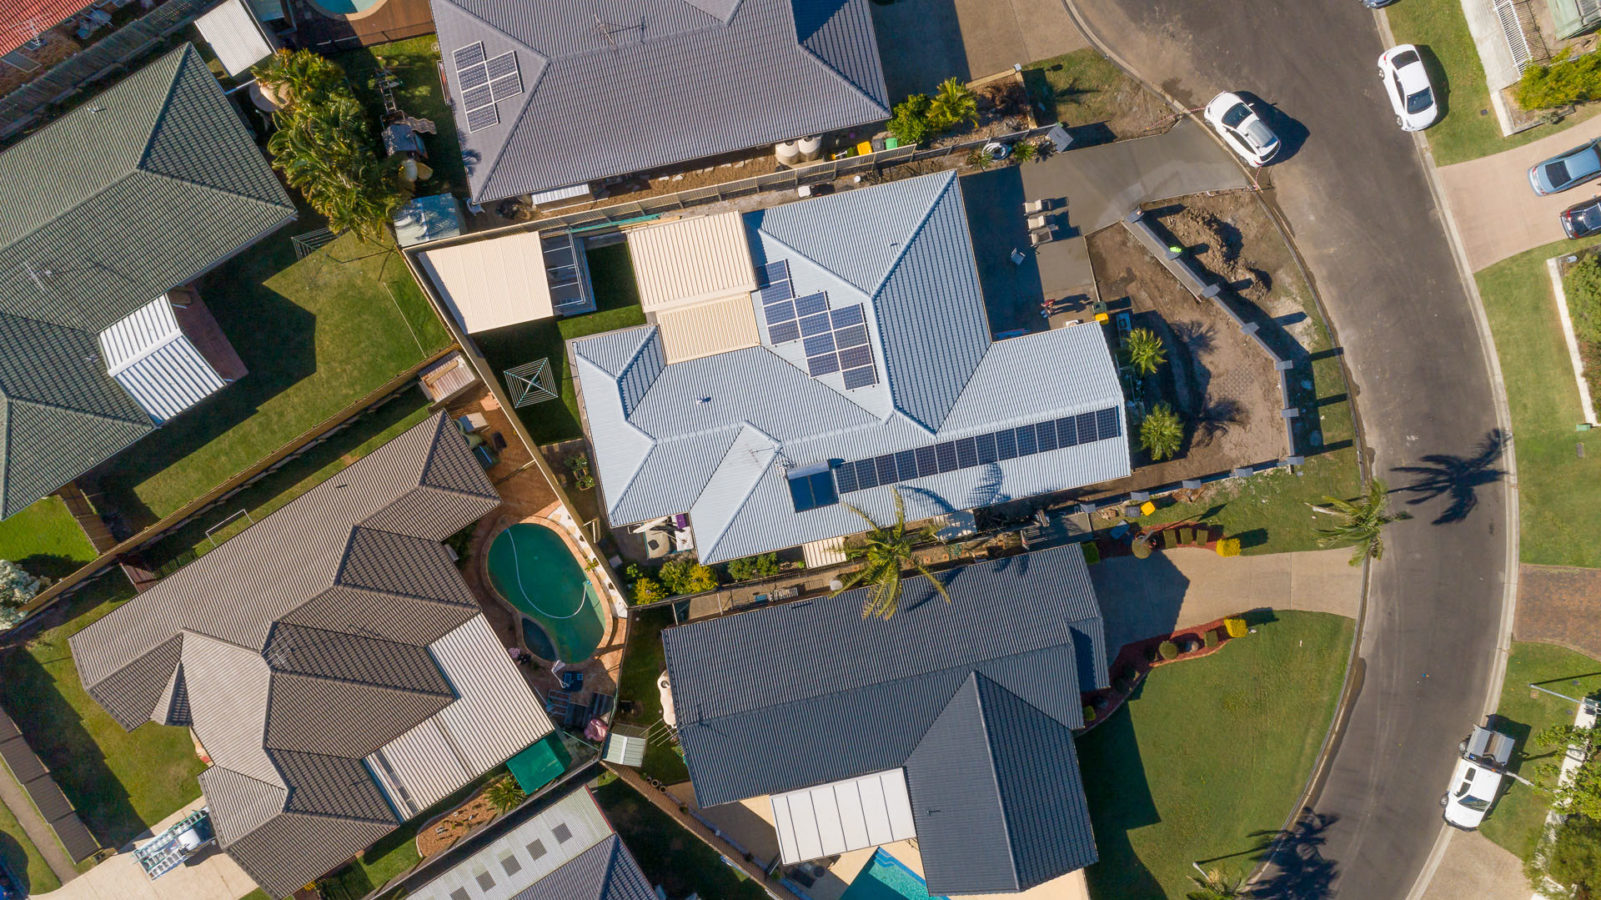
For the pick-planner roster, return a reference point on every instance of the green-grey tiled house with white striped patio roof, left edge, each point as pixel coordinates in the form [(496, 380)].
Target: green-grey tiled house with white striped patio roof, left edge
[(106, 217)]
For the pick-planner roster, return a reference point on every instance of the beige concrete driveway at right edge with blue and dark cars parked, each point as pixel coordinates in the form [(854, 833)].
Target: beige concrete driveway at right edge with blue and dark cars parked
[(1498, 214)]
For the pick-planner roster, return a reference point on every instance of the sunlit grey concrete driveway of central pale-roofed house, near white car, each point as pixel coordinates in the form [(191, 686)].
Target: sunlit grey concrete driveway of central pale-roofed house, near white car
[(1105, 183)]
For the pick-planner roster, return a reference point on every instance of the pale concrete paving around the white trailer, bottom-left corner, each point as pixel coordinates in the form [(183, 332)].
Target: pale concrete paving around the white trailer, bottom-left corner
[(212, 877)]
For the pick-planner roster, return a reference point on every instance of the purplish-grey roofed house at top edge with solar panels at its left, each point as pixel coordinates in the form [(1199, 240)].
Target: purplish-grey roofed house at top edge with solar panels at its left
[(556, 95)]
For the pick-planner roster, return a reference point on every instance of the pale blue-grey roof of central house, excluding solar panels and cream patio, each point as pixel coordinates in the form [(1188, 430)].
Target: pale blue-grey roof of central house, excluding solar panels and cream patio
[(713, 436)]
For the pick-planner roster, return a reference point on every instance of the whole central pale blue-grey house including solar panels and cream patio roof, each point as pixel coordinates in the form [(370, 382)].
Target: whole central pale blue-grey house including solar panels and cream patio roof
[(829, 353)]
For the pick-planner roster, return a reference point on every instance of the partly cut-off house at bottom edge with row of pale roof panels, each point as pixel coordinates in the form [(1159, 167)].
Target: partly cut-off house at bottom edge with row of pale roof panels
[(568, 851)]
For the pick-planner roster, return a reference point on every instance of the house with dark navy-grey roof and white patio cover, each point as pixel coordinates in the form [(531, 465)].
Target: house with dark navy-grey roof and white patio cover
[(949, 725)]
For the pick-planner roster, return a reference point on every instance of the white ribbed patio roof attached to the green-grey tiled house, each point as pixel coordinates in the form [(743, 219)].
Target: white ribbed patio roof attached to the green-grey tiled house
[(153, 360)]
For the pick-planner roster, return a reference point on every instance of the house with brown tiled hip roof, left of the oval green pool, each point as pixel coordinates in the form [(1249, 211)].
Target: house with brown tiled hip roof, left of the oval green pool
[(331, 662)]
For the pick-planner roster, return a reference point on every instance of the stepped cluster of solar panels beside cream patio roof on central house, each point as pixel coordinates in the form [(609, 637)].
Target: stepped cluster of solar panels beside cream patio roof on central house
[(835, 340)]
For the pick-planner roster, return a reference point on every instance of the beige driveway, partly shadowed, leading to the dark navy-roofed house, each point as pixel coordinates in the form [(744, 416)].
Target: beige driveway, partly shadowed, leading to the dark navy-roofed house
[(1144, 598)]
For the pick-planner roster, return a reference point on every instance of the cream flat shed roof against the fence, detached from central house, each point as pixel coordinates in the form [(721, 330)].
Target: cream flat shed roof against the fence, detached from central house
[(491, 284)]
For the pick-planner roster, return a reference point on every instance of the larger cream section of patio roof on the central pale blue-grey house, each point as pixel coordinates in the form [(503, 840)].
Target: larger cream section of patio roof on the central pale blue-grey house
[(692, 260)]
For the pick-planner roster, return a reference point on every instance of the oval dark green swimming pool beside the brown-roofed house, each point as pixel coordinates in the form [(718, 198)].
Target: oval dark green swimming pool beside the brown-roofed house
[(536, 573)]
